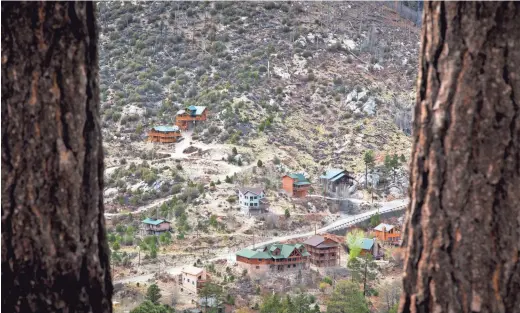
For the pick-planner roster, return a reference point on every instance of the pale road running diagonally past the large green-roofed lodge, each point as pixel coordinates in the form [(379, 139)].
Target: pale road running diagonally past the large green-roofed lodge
[(385, 207)]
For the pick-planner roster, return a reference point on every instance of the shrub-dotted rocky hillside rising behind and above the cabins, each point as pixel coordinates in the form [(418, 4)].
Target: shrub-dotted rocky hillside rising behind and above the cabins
[(314, 84)]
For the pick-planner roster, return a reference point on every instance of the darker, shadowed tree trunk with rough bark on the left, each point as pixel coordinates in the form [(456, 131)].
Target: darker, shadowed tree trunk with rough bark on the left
[(54, 251)]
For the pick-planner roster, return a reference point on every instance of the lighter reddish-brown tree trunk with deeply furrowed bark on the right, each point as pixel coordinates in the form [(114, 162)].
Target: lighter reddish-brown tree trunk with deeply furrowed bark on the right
[(463, 224)]
